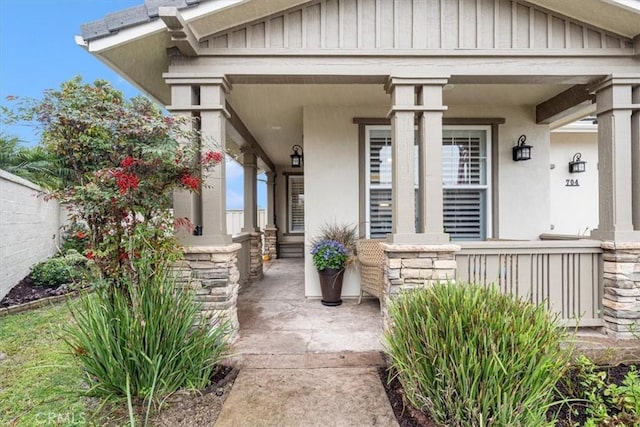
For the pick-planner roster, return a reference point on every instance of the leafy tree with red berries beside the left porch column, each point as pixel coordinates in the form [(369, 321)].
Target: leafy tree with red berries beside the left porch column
[(124, 159)]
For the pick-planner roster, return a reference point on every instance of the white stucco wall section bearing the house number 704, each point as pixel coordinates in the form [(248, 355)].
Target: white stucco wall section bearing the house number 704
[(574, 209)]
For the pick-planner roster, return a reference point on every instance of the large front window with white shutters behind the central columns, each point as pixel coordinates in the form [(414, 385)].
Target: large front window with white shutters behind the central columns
[(465, 170)]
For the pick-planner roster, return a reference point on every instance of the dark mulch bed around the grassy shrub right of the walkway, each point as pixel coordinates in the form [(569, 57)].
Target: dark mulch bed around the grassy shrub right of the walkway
[(568, 416)]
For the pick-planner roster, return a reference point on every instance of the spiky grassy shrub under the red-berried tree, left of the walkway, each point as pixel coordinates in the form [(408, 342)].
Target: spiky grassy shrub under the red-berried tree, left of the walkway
[(141, 341)]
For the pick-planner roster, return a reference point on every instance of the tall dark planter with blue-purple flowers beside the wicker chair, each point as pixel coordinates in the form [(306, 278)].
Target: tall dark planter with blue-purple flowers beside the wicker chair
[(330, 258)]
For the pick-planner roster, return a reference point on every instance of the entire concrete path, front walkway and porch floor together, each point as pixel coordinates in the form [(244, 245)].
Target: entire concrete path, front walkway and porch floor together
[(302, 363)]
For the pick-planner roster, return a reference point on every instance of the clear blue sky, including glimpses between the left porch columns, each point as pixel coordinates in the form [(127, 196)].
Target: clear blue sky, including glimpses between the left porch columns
[(38, 52)]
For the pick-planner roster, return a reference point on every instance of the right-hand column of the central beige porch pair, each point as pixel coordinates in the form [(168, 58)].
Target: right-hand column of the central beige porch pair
[(430, 196)]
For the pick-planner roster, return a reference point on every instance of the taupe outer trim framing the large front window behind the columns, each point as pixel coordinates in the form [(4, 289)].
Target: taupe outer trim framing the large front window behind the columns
[(490, 125)]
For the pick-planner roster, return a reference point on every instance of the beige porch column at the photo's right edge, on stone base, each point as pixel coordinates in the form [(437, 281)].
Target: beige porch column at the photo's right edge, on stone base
[(615, 159)]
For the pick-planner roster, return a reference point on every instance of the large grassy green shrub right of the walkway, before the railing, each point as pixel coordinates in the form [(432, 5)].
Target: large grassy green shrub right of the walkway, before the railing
[(472, 356)]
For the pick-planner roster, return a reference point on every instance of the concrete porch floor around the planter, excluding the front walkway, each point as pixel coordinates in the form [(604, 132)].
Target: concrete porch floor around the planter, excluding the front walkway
[(276, 318)]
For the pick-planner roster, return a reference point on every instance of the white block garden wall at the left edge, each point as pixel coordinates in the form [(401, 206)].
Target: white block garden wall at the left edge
[(29, 229)]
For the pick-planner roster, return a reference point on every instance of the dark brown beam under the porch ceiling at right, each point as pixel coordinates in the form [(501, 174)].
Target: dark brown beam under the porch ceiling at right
[(564, 104)]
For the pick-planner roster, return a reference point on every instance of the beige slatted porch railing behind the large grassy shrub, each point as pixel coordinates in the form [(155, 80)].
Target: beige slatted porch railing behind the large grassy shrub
[(565, 276)]
